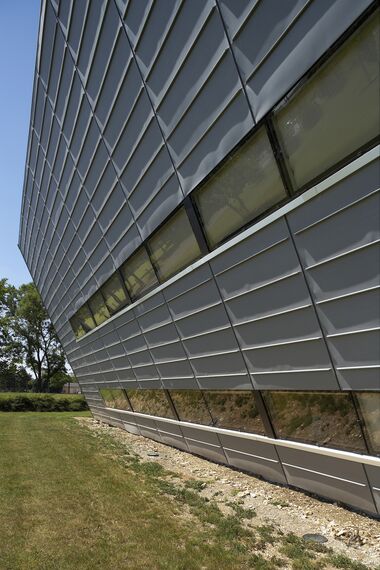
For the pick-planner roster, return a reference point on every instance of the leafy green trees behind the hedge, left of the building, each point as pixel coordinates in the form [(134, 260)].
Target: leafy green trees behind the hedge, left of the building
[(27, 338)]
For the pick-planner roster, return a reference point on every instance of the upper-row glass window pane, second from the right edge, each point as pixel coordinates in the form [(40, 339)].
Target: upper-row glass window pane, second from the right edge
[(248, 184)]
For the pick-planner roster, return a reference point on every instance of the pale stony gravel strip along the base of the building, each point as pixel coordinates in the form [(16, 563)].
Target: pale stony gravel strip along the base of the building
[(352, 534)]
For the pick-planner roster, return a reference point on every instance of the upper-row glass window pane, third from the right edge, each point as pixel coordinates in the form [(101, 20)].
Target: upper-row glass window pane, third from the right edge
[(174, 246)]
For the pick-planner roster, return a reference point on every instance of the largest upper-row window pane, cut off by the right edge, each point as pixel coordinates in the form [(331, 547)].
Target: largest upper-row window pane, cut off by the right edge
[(336, 111)]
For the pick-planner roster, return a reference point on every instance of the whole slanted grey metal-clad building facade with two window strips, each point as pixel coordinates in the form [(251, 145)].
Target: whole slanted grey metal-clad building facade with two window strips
[(201, 217)]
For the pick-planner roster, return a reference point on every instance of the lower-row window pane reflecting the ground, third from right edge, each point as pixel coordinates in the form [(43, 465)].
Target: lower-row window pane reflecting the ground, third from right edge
[(234, 410)]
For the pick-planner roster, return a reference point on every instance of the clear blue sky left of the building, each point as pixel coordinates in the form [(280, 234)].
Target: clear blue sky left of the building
[(18, 40)]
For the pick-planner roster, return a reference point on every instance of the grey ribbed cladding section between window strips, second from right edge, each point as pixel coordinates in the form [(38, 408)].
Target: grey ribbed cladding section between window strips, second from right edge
[(262, 285)]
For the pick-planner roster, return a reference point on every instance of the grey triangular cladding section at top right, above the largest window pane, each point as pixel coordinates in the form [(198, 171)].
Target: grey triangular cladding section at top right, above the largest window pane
[(276, 43)]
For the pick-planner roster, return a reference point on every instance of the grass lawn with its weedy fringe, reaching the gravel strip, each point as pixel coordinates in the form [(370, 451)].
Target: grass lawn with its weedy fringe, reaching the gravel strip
[(70, 501)]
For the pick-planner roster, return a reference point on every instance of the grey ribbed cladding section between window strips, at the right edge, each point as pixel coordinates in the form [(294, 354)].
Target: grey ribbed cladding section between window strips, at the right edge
[(337, 236)]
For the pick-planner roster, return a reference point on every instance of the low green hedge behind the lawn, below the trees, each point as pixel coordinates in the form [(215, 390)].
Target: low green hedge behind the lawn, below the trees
[(31, 402)]
